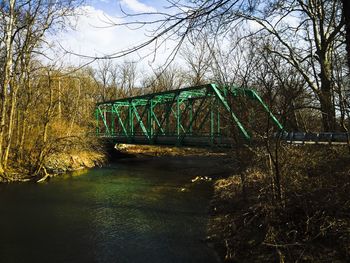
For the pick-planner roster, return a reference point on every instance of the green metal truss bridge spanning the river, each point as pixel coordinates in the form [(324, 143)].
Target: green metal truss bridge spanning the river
[(205, 115)]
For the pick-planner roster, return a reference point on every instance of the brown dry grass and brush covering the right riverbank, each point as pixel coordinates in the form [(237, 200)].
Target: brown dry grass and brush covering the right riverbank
[(312, 222)]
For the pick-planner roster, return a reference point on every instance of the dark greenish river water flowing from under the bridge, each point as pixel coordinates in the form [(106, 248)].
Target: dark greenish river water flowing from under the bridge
[(136, 210)]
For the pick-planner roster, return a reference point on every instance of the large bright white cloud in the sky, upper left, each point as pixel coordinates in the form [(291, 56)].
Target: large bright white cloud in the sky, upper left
[(93, 37)]
